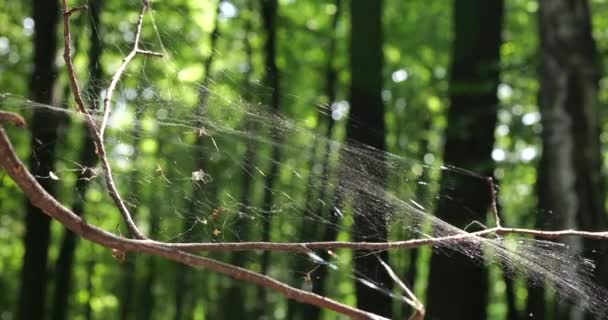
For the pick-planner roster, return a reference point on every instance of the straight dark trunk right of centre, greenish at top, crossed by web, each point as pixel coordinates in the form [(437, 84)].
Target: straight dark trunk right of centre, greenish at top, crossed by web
[(366, 126)]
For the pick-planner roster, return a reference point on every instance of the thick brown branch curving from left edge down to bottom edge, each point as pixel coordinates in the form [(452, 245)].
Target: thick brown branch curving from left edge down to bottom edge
[(49, 205)]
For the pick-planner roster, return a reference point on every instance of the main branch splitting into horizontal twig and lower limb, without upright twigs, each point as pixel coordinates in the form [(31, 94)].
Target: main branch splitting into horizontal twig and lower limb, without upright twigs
[(179, 252)]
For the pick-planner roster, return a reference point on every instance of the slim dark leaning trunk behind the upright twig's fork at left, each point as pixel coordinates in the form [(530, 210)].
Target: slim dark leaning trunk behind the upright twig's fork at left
[(65, 262)]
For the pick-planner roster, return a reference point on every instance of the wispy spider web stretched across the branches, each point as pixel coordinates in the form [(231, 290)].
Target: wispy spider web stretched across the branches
[(183, 168)]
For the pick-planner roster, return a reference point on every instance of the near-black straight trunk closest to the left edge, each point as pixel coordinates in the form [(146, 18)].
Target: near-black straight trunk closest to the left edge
[(44, 133)]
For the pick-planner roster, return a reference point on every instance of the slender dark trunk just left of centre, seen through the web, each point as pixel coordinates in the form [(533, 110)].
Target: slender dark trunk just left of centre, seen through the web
[(269, 18)]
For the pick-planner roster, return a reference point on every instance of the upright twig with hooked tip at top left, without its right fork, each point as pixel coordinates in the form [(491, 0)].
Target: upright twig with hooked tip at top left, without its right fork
[(96, 133)]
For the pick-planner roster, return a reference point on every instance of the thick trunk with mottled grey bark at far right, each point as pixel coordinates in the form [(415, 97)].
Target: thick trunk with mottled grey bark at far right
[(569, 175)]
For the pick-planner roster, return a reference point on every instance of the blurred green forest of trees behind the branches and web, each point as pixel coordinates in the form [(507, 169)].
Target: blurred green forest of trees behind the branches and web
[(507, 89)]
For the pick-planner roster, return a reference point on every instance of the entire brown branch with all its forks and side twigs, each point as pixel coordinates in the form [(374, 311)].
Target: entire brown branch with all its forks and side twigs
[(182, 252)]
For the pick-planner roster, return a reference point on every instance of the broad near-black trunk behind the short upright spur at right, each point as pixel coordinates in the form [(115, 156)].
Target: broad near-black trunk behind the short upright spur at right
[(457, 285)]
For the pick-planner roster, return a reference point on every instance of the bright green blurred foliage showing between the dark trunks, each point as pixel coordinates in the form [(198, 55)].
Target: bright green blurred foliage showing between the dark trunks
[(417, 63)]
